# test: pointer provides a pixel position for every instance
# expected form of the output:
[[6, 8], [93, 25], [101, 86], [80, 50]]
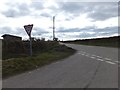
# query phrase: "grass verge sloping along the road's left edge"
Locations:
[[15, 66]]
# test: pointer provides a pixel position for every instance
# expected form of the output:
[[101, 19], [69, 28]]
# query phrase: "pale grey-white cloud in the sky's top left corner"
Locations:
[[19, 9]]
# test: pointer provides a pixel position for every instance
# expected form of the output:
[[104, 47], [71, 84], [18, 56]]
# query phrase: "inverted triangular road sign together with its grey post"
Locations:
[[28, 29]]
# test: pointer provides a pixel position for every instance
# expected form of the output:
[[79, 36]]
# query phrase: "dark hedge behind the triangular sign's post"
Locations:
[[14, 49]]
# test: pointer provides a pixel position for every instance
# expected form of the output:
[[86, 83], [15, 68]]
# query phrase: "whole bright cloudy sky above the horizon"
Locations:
[[74, 20]]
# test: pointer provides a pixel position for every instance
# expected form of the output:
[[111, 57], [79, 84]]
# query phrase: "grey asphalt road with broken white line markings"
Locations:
[[89, 67]]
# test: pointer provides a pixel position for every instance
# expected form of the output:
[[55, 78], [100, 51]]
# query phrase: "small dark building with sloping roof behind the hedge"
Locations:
[[11, 37]]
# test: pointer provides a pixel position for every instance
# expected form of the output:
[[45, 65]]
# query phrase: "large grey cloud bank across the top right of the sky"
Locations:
[[97, 11]]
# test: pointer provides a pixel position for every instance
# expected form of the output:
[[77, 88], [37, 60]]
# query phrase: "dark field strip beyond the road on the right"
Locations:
[[106, 42]]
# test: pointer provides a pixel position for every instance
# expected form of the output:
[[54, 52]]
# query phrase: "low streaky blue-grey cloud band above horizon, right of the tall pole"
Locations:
[[88, 32]]
